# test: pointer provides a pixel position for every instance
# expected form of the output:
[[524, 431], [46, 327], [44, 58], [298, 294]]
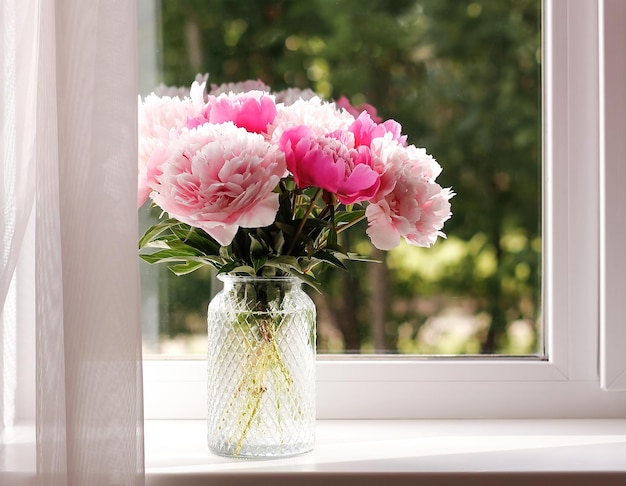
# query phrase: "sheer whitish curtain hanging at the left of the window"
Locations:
[[68, 164]]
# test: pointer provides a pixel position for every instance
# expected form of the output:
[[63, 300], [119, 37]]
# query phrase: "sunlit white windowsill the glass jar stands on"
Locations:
[[405, 452]]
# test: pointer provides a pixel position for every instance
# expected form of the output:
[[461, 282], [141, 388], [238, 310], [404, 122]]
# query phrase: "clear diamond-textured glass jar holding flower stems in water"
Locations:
[[261, 368]]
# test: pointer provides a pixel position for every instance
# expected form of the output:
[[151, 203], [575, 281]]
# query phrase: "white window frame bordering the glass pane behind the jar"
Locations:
[[566, 384]]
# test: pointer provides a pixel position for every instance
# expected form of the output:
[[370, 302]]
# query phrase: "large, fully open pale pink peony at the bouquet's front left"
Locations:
[[218, 178]]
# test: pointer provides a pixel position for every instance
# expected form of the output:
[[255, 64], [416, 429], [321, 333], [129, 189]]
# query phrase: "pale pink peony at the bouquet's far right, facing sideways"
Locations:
[[409, 204]]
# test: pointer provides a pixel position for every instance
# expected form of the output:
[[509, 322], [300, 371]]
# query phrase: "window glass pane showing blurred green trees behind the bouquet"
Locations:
[[464, 81]]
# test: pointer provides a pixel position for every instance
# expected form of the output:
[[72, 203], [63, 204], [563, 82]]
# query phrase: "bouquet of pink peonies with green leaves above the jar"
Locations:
[[260, 183]]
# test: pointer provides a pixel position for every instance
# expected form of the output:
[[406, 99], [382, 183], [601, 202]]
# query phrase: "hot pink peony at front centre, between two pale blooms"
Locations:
[[330, 162]]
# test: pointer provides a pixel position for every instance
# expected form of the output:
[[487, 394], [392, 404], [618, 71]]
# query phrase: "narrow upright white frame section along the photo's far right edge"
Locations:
[[613, 201]]
